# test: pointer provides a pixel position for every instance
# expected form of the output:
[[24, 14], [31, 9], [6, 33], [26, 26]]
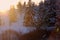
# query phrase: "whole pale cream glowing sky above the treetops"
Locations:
[[5, 4]]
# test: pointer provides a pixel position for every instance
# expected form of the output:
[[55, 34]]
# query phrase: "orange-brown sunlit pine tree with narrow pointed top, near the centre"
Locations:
[[29, 14]]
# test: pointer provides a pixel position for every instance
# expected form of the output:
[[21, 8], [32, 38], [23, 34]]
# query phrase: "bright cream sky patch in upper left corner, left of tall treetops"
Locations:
[[5, 4]]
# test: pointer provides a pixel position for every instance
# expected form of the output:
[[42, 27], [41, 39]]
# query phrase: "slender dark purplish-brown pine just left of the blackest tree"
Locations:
[[40, 15]]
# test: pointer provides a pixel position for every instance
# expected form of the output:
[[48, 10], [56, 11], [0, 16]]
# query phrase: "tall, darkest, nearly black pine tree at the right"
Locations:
[[50, 9]]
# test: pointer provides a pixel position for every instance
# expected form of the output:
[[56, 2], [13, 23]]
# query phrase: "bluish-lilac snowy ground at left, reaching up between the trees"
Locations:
[[17, 26]]
